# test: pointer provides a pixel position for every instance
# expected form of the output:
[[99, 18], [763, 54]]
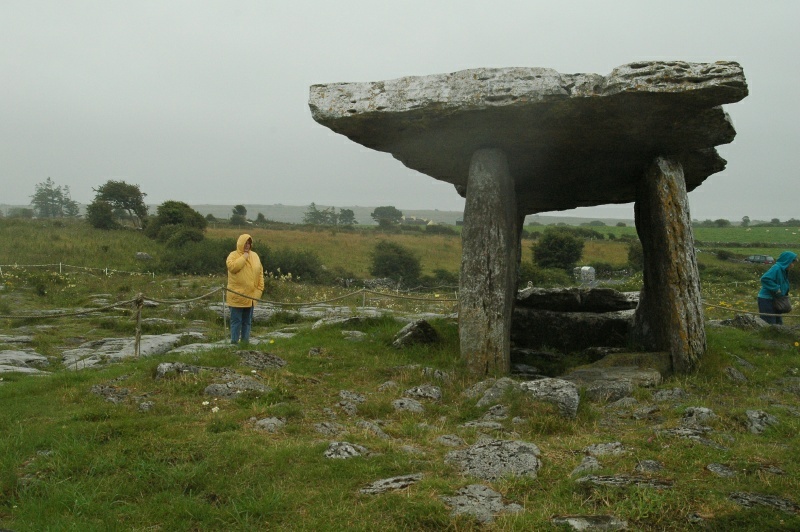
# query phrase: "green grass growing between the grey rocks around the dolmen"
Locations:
[[71, 461]]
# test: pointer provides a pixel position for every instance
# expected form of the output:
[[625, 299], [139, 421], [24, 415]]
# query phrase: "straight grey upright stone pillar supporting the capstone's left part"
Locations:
[[490, 240]]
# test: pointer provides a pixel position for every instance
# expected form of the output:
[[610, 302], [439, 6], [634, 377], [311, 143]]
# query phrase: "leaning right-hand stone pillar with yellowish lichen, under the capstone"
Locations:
[[670, 313]]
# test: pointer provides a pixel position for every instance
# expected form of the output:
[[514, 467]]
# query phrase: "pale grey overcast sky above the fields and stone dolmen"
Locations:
[[207, 101]]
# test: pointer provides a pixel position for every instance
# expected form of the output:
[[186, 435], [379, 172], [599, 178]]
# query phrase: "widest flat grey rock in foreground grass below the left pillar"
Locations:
[[494, 459]]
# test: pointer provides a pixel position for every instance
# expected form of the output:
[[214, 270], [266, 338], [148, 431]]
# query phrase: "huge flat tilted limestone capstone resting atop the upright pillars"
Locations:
[[571, 139]]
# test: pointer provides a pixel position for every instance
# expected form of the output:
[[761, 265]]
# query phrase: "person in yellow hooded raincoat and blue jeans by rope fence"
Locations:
[[245, 285]]
